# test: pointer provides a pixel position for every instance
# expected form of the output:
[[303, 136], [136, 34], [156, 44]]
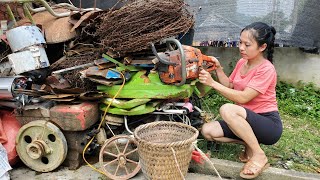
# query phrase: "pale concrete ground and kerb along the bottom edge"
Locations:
[[227, 169]]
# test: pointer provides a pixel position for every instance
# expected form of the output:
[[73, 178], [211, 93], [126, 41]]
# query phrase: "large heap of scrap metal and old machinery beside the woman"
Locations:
[[75, 75]]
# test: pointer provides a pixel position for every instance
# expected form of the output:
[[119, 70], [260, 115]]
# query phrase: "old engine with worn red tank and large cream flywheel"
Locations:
[[75, 121]]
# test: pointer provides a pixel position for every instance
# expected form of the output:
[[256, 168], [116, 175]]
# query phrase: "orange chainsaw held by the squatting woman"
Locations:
[[176, 66]]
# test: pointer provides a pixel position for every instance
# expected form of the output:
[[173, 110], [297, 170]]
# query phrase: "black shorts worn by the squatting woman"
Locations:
[[267, 127]]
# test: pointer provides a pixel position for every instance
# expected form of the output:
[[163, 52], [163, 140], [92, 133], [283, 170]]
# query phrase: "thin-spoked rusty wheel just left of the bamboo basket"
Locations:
[[119, 157]]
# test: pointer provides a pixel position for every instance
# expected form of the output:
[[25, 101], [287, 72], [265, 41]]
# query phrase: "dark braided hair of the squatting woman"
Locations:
[[263, 33]]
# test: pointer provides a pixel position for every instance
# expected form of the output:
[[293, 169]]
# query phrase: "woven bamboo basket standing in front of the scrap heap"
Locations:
[[165, 149]]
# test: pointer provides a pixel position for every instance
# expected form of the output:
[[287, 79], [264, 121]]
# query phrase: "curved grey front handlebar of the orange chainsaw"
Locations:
[[183, 59]]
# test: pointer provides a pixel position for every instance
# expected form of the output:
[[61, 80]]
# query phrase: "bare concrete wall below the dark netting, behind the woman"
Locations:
[[292, 64]]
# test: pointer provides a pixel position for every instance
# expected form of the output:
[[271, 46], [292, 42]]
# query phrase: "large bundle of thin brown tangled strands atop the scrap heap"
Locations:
[[135, 25]]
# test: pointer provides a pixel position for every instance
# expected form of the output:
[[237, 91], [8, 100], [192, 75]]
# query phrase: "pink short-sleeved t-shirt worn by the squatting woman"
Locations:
[[263, 79]]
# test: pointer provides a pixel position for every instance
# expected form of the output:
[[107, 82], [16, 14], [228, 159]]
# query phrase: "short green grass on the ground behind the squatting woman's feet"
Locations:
[[298, 146]]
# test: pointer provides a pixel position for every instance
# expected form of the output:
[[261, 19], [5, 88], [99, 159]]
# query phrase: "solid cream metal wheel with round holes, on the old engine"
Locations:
[[41, 145]]
